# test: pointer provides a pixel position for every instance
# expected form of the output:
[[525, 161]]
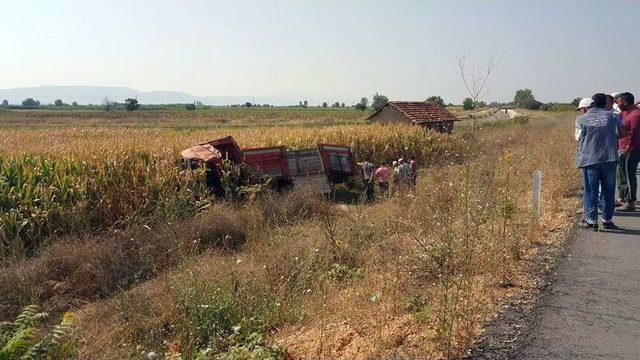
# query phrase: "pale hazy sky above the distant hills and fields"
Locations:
[[323, 50]]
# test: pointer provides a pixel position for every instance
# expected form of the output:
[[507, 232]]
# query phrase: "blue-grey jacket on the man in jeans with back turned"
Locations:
[[598, 140]]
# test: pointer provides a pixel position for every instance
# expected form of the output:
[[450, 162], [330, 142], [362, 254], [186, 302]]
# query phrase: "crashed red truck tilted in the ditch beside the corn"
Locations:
[[316, 167]]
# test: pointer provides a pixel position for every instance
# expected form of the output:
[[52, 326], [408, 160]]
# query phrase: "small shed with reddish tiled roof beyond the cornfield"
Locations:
[[427, 114]]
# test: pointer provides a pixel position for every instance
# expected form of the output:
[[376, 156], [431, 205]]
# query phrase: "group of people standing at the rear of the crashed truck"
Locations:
[[402, 174]]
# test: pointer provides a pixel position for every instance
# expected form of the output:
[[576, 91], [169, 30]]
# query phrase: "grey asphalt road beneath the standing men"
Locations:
[[593, 309]]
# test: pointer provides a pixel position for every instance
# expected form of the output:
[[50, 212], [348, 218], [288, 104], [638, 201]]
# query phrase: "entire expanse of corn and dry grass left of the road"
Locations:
[[97, 223]]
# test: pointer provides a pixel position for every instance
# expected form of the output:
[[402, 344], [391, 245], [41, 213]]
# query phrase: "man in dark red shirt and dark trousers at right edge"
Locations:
[[629, 145]]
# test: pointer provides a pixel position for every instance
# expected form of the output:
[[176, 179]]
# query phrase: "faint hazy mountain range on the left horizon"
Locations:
[[95, 95]]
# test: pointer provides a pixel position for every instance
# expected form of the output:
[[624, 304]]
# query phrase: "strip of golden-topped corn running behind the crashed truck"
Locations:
[[381, 143]]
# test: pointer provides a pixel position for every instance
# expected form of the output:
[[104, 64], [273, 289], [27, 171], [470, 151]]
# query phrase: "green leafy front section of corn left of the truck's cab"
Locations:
[[44, 195]]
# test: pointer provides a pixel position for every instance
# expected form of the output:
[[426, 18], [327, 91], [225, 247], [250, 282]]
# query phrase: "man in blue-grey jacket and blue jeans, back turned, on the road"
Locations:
[[597, 156]]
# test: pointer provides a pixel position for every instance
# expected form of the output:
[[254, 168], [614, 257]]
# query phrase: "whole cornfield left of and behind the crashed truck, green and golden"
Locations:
[[94, 178]]
